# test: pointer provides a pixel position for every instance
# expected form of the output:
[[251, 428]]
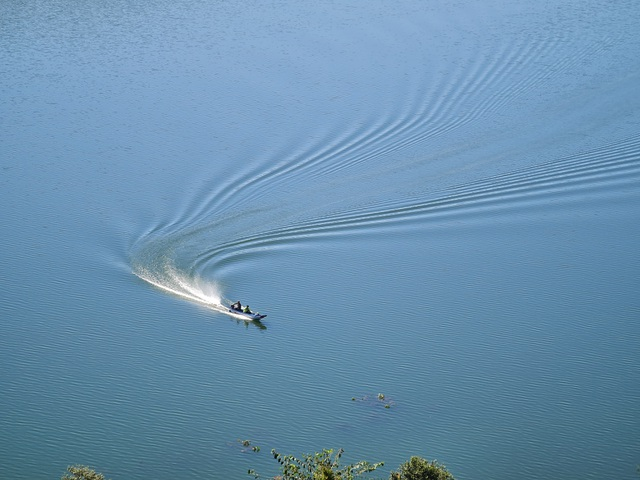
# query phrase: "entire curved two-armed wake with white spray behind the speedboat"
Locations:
[[453, 105]]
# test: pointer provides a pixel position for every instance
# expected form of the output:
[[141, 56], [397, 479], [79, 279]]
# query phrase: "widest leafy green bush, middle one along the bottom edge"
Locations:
[[319, 466]]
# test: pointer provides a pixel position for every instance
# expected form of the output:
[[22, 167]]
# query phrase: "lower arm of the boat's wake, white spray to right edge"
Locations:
[[178, 262]]
